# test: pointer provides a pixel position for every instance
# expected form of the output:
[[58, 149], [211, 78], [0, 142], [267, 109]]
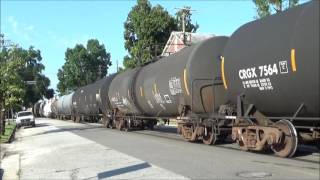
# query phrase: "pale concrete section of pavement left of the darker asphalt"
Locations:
[[47, 152]]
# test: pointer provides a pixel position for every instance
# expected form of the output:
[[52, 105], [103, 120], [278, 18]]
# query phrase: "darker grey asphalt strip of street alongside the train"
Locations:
[[167, 149]]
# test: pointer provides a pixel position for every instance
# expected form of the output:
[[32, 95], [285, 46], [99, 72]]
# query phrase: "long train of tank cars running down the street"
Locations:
[[261, 86]]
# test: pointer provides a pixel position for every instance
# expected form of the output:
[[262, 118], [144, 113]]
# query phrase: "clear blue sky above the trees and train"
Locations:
[[52, 26]]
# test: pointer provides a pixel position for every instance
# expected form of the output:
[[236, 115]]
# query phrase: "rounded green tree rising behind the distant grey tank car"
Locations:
[[83, 66]]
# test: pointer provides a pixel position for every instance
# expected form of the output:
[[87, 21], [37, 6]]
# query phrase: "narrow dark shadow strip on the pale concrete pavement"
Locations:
[[124, 170]]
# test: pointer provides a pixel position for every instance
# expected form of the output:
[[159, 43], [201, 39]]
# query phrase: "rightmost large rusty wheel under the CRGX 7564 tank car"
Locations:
[[289, 141]]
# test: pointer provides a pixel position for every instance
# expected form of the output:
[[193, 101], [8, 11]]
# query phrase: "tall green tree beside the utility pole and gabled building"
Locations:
[[147, 30]]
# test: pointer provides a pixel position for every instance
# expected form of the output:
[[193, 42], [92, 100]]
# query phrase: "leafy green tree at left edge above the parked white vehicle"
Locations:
[[19, 65]]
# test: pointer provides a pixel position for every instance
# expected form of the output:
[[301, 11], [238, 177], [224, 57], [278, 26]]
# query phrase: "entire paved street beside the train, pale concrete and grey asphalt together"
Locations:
[[65, 150]]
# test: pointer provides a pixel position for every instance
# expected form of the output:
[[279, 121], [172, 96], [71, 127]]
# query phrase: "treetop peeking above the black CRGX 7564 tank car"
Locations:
[[267, 7]]
